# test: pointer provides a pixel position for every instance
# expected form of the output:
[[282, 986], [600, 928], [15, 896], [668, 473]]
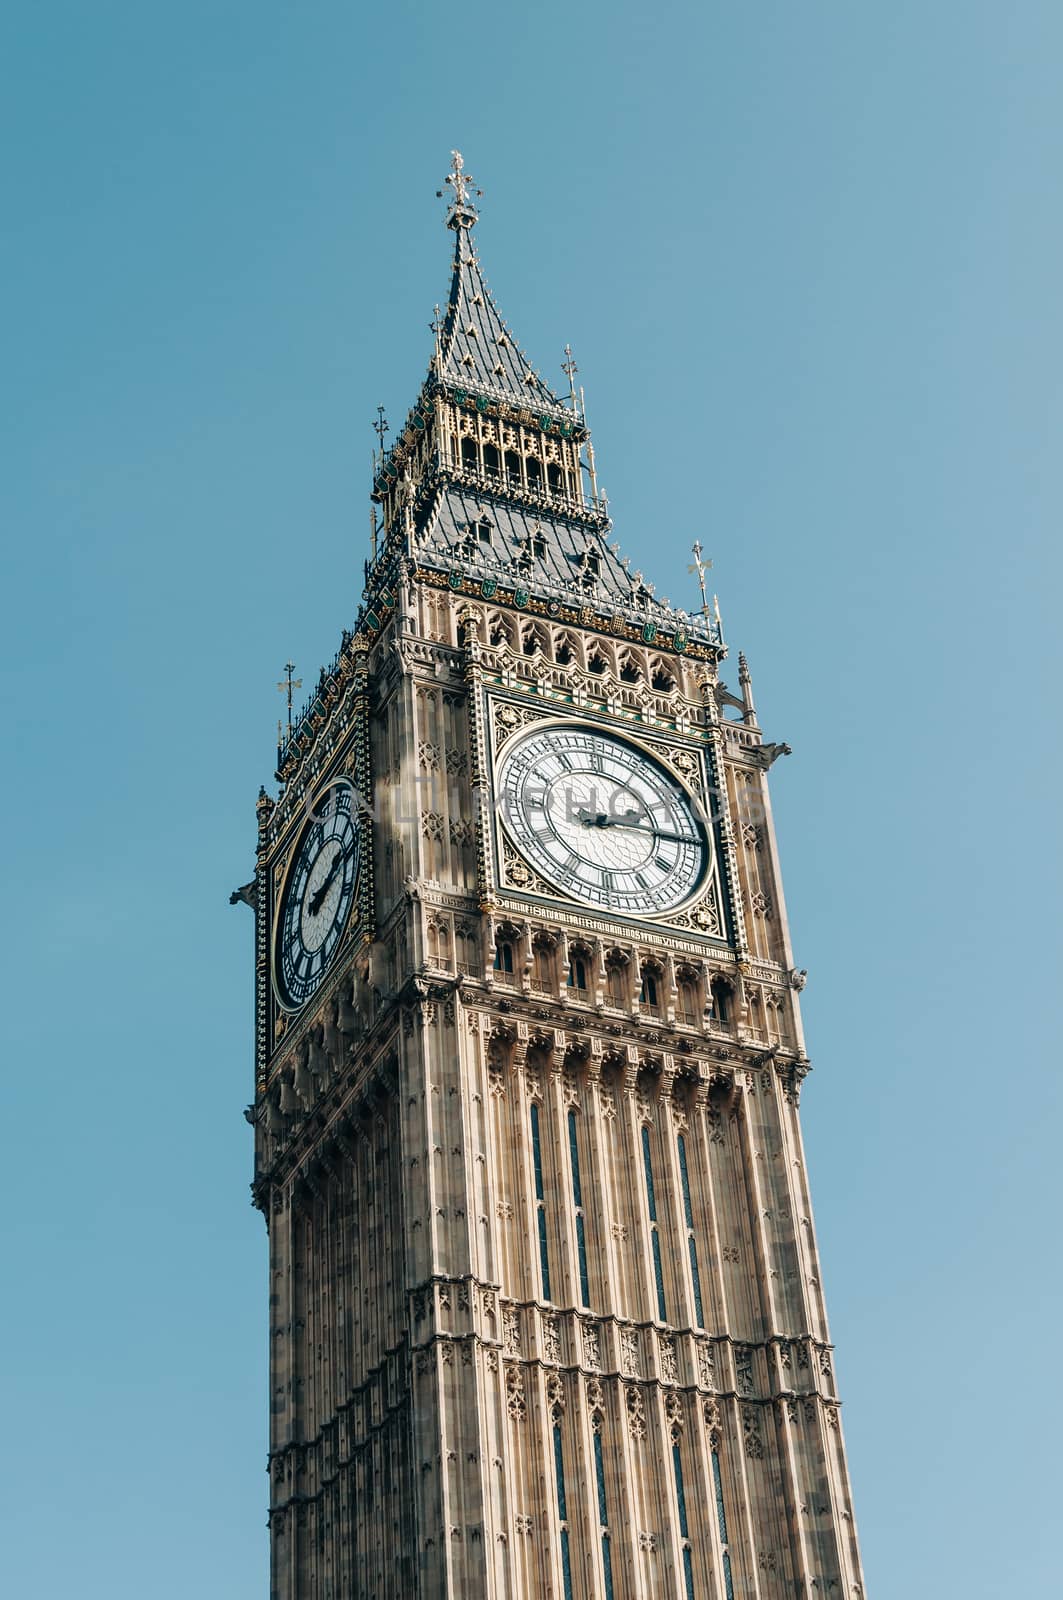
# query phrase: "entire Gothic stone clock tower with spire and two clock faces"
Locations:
[[545, 1308]]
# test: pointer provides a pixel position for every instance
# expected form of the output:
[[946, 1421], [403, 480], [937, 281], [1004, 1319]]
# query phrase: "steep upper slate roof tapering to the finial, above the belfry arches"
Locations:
[[478, 350]]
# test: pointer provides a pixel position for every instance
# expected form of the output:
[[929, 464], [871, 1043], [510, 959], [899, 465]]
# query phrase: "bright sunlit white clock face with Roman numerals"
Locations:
[[603, 820]]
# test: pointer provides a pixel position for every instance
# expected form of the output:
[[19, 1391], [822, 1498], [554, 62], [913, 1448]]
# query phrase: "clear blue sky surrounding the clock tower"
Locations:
[[809, 258]]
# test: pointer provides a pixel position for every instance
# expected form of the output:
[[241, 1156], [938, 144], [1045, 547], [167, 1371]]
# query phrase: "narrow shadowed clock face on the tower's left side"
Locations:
[[318, 897]]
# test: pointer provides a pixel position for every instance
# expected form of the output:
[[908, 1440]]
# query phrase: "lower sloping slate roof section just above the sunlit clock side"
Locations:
[[560, 569]]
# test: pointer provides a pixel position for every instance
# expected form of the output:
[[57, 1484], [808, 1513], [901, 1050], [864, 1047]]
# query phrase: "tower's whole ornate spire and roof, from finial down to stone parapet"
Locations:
[[486, 482]]
